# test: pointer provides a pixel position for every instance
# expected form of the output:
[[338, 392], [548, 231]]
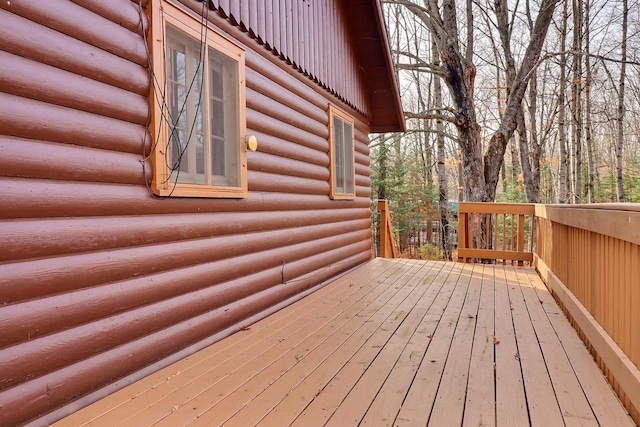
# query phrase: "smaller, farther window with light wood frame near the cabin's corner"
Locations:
[[342, 154]]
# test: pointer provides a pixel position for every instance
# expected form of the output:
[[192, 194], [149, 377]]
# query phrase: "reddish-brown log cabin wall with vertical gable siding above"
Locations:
[[100, 281]]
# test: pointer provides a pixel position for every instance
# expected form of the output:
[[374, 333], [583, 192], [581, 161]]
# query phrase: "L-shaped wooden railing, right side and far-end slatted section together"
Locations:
[[589, 257]]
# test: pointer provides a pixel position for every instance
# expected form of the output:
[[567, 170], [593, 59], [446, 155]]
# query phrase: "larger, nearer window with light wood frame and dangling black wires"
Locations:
[[200, 121]]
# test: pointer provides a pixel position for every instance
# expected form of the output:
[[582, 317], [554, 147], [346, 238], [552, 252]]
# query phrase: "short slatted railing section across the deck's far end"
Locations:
[[496, 231]]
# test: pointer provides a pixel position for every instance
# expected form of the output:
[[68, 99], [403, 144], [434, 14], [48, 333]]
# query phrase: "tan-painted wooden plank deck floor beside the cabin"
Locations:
[[395, 342]]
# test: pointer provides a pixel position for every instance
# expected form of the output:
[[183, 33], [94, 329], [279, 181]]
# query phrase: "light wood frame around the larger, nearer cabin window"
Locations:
[[189, 24]]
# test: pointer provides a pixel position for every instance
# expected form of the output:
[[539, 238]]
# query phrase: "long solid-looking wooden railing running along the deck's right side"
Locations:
[[589, 257]]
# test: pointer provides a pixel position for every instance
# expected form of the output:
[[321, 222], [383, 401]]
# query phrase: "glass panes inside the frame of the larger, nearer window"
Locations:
[[204, 137]]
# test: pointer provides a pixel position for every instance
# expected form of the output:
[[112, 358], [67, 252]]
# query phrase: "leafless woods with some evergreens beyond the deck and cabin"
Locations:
[[518, 101]]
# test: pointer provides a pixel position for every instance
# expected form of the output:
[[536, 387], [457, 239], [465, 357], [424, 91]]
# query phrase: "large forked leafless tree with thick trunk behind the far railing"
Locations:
[[458, 71]]
